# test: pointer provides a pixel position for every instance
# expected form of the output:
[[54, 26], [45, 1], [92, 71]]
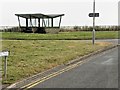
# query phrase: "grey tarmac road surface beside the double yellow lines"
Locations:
[[100, 71]]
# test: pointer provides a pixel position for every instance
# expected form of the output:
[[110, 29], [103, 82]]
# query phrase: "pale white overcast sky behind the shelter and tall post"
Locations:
[[76, 11]]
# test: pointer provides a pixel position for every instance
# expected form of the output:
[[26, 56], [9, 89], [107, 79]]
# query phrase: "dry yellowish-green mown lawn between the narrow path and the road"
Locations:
[[29, 57]]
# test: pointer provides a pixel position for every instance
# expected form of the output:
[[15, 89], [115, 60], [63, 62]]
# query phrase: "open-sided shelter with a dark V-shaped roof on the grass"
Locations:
[[43, 22]]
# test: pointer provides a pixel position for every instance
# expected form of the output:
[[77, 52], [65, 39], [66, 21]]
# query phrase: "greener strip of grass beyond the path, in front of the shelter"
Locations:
[[61, 35]]
